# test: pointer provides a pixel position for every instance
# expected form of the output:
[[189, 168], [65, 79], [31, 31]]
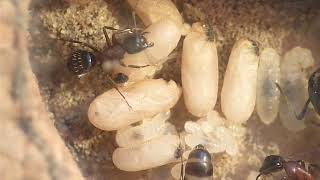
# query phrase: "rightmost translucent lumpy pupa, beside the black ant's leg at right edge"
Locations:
[[294, 83]]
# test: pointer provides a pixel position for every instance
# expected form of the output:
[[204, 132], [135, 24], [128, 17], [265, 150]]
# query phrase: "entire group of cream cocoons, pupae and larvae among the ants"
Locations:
[[146, 139]]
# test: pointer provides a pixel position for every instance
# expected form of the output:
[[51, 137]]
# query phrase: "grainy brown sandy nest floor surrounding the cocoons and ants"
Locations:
[[272, 23]]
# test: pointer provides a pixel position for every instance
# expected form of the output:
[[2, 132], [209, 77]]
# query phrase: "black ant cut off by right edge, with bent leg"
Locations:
[[314, 94]]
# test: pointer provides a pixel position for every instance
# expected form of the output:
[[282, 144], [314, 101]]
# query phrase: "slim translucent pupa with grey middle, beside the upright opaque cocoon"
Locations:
[[268, 95]]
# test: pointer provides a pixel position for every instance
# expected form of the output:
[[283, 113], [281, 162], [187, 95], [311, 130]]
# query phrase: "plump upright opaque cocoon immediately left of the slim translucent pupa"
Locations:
[[238, 95]]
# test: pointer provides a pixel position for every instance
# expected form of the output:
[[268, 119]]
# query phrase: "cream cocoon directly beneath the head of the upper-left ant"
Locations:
[[165, 35]]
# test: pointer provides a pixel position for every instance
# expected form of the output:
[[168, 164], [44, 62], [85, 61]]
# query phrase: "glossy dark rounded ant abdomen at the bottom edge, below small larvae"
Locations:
[[199, 165]]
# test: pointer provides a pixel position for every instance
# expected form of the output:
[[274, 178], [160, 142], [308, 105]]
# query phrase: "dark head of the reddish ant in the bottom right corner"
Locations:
[[271, 164]]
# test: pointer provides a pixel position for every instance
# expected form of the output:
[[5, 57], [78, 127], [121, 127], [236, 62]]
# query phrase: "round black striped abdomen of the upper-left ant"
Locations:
[[81, 62]]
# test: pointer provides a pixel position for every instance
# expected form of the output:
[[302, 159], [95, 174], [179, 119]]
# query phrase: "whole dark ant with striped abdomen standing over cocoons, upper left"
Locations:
[[81, 61]]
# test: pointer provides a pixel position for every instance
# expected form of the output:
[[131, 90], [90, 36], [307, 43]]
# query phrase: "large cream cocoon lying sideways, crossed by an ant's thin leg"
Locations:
[[147, 98]]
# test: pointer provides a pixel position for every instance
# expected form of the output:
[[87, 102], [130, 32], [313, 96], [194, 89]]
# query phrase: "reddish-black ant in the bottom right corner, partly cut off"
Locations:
[[295, 170]]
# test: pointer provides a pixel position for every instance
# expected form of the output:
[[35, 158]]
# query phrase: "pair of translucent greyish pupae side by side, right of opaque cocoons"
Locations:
[[290, 73]]
